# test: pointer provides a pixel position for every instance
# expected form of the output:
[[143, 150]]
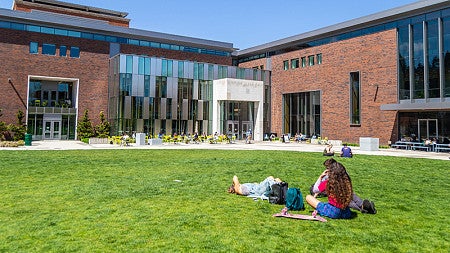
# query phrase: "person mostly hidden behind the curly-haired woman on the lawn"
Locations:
[[364, 206]]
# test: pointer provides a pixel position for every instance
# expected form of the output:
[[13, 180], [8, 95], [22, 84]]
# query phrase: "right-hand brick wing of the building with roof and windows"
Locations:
[[386, 76]]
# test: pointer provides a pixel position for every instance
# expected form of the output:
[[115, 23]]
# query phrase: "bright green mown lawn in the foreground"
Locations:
[[176, 201]]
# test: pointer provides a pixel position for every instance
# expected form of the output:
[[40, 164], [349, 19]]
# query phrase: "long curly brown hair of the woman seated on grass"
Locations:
[[339, 184]]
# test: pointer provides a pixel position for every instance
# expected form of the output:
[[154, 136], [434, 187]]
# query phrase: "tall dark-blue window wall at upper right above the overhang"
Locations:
[[424, 62]]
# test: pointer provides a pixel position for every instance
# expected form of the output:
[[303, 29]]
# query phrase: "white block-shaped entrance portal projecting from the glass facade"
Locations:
[[238, 90]]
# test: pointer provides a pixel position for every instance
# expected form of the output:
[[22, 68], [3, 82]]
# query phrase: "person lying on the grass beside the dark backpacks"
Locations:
[[253, 189]]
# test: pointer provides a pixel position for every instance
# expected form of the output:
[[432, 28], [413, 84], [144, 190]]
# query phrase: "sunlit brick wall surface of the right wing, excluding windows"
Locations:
[[374, 56]]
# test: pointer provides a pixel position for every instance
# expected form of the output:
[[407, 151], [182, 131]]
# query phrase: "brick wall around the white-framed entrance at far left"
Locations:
[[17, 63]]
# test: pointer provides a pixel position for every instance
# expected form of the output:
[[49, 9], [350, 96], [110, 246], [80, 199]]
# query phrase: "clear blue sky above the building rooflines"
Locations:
[[244, 23]]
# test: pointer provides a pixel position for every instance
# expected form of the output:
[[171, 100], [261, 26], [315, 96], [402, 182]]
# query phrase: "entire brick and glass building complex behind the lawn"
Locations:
[[386, 75]]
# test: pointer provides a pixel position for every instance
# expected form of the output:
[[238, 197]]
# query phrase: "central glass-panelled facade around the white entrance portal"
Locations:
[[155, 95]]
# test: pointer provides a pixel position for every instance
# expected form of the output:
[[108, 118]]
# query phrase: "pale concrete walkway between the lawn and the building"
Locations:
[[299, 147]]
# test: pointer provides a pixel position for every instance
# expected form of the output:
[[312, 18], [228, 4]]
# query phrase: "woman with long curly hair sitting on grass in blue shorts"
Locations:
[[340, 193]]
